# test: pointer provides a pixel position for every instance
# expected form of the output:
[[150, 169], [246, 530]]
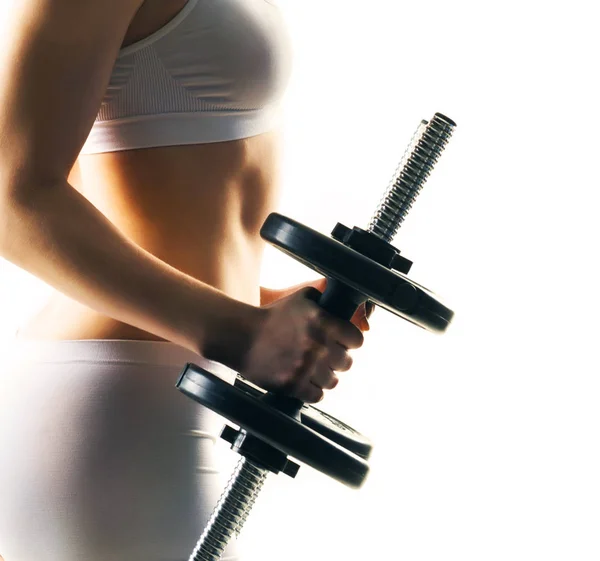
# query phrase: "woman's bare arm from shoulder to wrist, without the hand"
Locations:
[[54, 69]]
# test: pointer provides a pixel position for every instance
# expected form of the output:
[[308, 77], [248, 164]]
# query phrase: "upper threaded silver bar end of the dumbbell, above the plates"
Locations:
[[420, 157]]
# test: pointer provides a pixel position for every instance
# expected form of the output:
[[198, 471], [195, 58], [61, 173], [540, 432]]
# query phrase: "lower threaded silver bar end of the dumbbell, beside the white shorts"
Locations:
[[231, 511]]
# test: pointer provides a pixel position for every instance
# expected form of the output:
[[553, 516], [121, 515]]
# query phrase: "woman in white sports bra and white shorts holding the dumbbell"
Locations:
[[139, 157]]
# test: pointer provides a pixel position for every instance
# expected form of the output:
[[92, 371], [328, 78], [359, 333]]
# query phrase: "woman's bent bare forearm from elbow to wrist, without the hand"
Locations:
[[61, 238]]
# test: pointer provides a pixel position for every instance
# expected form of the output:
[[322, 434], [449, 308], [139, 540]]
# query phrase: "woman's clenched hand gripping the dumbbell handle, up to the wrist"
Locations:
[[297, 347]]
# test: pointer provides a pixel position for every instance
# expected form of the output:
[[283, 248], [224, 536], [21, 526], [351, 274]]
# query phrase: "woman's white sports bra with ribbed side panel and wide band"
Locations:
[[215, 72]]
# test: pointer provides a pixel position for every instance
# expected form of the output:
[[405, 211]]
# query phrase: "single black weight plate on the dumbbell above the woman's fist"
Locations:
[[386, 288]]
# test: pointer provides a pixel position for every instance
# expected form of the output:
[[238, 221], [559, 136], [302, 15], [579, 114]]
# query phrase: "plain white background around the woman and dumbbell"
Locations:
[[486, 438]]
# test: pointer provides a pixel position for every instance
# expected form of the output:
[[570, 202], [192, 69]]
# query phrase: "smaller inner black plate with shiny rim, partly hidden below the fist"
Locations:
[[323, 423]]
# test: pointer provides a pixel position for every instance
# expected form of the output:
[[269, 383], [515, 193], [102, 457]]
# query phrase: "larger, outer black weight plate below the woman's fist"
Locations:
[[274, 427]]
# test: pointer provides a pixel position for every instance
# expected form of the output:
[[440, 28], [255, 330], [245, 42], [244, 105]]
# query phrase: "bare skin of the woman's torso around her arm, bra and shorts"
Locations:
[[197, 207]]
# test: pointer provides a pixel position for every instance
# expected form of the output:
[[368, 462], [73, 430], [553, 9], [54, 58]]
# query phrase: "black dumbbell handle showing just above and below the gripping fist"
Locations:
[[340, 301]]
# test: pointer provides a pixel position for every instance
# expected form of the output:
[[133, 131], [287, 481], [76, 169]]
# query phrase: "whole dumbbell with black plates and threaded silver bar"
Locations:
[[360, 266]]
